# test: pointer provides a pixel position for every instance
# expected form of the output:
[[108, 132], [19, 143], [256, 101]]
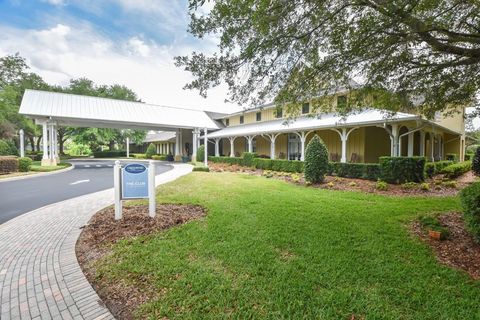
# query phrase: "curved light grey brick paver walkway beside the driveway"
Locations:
[[39, 274]]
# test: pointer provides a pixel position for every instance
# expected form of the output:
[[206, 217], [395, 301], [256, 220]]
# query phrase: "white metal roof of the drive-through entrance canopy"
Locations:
[[86, 111]]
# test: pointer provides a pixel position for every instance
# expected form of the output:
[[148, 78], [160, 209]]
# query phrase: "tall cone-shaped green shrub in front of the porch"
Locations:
[[316, 160]]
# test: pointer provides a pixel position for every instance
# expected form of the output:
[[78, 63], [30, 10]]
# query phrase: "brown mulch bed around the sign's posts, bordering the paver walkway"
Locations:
[[102, 231]]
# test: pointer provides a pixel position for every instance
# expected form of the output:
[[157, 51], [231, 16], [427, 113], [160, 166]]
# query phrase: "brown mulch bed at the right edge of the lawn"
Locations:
[[459, 250]]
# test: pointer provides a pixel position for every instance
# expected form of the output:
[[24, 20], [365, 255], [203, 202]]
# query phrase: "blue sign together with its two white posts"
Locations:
[[134, 181]]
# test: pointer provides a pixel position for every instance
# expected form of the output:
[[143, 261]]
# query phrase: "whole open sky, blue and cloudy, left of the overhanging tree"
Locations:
[[128, 42]]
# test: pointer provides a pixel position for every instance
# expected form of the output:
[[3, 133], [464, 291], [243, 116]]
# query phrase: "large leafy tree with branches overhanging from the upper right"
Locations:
[[422, 55]]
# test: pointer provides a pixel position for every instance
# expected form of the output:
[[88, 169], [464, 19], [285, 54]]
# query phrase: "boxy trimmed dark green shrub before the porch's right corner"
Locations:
[[402, 169]]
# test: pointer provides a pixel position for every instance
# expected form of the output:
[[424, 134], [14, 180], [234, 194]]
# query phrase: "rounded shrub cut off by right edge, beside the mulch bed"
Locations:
[[470, 201]]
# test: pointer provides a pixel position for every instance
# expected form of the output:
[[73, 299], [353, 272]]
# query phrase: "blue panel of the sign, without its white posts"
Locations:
[[134, 181]]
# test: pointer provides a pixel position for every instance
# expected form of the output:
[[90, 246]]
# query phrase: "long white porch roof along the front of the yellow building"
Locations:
[[329, 120]]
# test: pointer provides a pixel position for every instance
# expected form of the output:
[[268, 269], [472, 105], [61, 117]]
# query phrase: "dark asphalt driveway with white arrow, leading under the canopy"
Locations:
[[21, 196]]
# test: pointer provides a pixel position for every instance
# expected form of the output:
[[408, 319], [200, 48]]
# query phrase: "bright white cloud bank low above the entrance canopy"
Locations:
[[66, 51]]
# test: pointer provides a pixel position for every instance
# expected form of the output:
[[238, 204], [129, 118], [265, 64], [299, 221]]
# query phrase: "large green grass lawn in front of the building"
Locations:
[[272, 250]]
